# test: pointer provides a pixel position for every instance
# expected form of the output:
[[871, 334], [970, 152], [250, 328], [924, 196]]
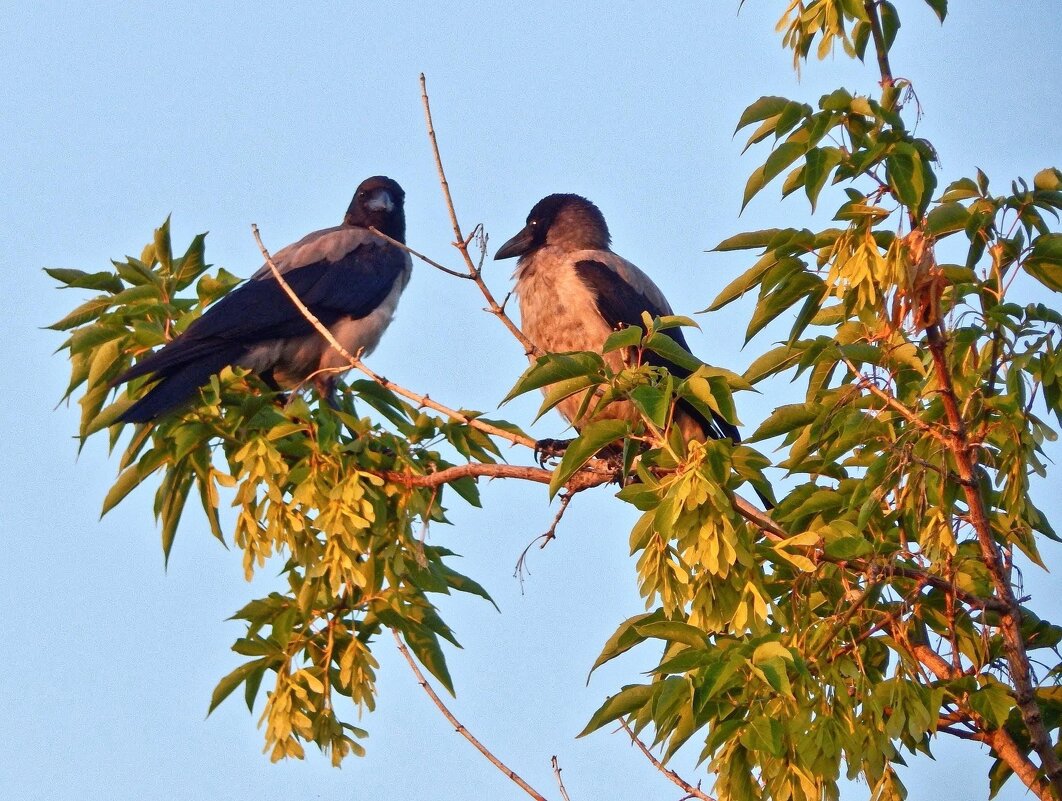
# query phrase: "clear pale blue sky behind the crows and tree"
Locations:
[[115, 115]]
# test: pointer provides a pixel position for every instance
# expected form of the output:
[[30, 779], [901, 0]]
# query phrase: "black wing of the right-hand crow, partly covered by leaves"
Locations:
[[622, 304]]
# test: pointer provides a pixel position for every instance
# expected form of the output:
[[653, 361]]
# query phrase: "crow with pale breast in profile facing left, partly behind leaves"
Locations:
[[574, 292]]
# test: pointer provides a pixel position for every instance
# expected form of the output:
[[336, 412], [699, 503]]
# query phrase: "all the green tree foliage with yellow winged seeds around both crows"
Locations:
[[871, 611]]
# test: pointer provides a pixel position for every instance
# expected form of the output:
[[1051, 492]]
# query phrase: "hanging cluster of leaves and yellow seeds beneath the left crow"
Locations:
[[321, 489]]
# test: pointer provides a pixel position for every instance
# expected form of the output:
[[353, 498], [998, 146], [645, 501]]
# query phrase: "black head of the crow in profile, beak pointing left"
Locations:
[[568, 221]]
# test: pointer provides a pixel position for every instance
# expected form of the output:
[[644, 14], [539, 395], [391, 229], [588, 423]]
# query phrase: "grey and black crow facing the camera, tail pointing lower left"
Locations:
[[348, 277]]
